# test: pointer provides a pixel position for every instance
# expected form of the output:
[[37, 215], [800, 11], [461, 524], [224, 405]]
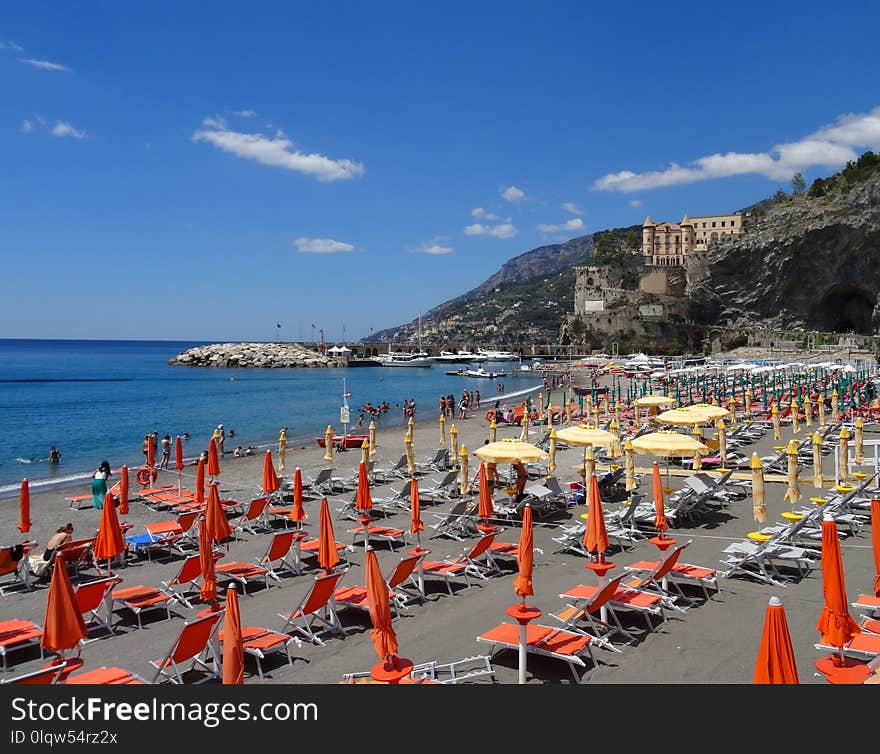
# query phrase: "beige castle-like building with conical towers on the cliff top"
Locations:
[[667, 244]]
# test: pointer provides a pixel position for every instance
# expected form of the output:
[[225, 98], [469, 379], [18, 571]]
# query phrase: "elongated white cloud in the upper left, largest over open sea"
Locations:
[[276, 151]]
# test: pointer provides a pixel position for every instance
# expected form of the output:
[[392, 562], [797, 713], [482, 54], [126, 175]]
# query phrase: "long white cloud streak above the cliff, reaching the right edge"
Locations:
[[829, 147]]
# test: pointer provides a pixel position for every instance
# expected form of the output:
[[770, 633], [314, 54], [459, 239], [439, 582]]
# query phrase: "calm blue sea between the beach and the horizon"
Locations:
[[95, 400]]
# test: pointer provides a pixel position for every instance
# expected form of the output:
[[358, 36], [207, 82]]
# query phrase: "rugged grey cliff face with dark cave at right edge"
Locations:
[[811, 262]]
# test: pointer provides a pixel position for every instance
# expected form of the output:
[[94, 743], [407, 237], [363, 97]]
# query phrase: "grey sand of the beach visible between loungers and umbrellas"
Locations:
[[713, 642]]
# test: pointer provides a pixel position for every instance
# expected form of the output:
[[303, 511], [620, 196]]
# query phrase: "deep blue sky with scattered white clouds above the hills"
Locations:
[[173, 171]]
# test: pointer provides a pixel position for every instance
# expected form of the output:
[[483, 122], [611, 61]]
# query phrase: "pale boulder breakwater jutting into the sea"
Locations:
[[253, 355]]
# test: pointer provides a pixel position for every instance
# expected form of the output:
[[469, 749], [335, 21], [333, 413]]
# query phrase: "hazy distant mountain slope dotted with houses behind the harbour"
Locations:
[[523, 302]]
